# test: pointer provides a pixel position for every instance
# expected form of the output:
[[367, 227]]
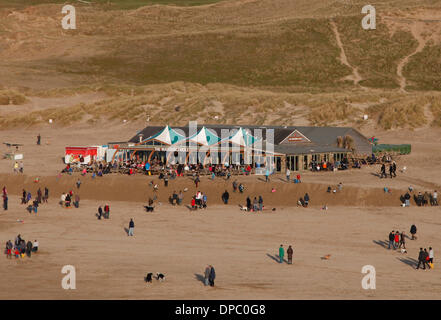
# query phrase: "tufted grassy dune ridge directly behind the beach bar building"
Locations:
[[180, 102]]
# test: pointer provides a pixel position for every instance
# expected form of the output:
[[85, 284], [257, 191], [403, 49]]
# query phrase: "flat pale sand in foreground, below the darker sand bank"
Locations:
[[241, 246]]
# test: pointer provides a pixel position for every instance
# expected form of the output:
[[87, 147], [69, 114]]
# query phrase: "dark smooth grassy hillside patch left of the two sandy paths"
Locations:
[[301, 52]]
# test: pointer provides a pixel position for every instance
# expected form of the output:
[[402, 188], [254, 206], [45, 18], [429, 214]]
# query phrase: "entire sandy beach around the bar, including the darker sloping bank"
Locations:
[[242, 246]]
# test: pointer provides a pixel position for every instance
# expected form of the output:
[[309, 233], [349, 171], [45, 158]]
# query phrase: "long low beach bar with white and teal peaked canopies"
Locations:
[[293, 147]]
